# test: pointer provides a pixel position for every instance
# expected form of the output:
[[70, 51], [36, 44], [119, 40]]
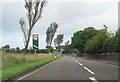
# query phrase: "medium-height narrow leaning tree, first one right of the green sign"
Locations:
[[50, 33]]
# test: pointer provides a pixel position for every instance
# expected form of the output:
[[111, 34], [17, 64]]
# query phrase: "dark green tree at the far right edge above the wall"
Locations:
[[112, 42]]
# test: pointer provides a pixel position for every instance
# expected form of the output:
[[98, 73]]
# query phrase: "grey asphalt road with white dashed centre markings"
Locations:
[[74, 68]]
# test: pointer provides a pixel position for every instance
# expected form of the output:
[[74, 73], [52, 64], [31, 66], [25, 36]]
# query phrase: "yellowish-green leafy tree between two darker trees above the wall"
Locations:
[[95, 44]]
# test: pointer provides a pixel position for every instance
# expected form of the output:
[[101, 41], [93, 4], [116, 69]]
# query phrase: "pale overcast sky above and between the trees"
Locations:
[[71, 15]]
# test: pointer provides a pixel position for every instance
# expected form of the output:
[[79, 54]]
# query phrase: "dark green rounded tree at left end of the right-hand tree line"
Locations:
[[80, 38]]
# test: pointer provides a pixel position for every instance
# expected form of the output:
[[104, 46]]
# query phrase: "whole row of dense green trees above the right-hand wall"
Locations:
[[91, 40]]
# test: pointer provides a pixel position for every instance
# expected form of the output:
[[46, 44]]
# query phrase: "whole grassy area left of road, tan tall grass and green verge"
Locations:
[[13, 64]]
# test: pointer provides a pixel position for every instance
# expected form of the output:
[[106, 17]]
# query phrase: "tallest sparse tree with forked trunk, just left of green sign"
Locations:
[[34, 9]]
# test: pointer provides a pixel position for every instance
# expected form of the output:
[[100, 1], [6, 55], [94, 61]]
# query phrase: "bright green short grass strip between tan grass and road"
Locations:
[[14, 69]]
